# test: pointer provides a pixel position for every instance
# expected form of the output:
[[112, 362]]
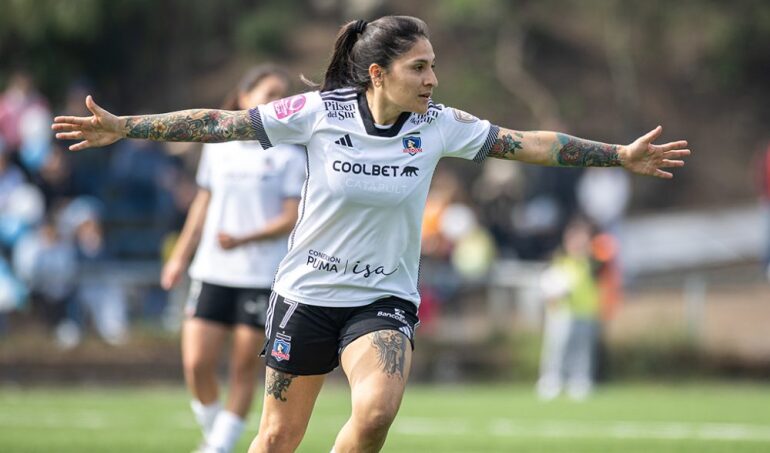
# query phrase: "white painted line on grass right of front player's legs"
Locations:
[[587, 429]]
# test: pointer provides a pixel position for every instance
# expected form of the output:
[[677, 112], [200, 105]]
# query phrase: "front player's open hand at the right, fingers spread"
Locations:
[[645, 158]]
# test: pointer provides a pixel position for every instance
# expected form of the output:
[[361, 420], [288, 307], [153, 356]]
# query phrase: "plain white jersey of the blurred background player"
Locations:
[[248, 186]]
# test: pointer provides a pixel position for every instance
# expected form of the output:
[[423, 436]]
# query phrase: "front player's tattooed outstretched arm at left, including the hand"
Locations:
[[200, 125]]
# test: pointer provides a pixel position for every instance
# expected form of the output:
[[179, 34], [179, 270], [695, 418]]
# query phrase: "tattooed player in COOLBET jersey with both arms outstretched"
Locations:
[[346, 292]]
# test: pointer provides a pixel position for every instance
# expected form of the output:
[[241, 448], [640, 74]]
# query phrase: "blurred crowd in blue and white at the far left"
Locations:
[[65, 215]]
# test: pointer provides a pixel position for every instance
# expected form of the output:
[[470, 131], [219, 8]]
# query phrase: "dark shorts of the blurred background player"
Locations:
[[228, 305]]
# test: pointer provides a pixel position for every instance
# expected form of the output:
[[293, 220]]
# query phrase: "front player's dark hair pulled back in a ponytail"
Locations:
[[360, 44]]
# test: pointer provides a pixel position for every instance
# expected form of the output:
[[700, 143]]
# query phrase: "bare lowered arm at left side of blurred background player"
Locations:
[[188, 241]]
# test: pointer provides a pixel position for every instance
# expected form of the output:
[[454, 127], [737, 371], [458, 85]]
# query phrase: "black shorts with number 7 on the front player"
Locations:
[[308, 339]]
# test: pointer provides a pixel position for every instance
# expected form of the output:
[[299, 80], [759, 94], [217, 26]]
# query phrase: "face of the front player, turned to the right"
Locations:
[[409, 82]]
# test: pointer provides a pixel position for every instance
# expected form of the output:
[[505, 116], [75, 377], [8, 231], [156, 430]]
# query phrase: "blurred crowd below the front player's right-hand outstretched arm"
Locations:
[[515, 212]]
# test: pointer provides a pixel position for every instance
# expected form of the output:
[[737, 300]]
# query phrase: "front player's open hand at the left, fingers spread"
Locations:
[[101, 129]]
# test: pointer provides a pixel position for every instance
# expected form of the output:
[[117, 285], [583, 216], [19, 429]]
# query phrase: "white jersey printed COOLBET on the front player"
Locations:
[[358, 235]]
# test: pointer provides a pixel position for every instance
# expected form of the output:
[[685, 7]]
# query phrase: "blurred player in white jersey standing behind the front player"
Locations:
[[240, 220]]
